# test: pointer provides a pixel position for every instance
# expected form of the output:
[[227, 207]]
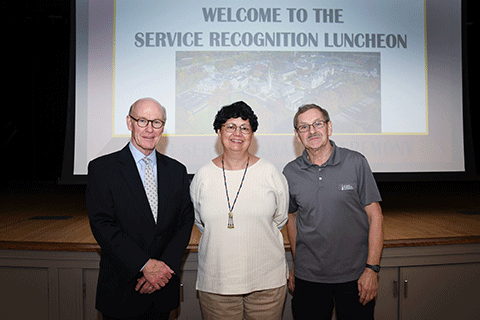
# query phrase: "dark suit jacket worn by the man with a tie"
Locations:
[[122, 223]]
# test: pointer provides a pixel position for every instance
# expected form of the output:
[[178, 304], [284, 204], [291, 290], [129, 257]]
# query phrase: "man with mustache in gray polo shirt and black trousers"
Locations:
[[335, 224]]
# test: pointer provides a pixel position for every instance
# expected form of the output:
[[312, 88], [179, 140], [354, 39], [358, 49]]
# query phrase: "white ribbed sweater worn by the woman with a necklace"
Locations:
[[251, 256]]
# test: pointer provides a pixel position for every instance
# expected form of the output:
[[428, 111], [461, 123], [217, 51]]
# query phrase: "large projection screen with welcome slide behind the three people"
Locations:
[[389, 73]]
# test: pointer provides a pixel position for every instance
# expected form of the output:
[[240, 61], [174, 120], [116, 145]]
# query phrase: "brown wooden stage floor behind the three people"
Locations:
[[53, 220]]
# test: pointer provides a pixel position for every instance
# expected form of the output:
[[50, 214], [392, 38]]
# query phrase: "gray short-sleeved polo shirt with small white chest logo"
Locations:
[[332, 224]]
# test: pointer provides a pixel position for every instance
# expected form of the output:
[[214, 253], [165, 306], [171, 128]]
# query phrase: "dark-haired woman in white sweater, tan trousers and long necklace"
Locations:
[[241, 204]]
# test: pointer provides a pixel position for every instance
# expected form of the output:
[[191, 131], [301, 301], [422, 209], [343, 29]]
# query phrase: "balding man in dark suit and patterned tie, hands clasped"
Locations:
[[141, 215]]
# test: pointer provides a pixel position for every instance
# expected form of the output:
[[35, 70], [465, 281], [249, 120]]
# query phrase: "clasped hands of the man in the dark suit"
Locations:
[[156, 273]]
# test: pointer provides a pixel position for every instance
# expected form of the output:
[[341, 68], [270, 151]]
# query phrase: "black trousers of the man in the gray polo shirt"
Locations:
[[317, 300]]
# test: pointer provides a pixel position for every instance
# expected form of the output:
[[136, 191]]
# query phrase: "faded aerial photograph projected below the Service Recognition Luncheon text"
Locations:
[[275, 84]]
